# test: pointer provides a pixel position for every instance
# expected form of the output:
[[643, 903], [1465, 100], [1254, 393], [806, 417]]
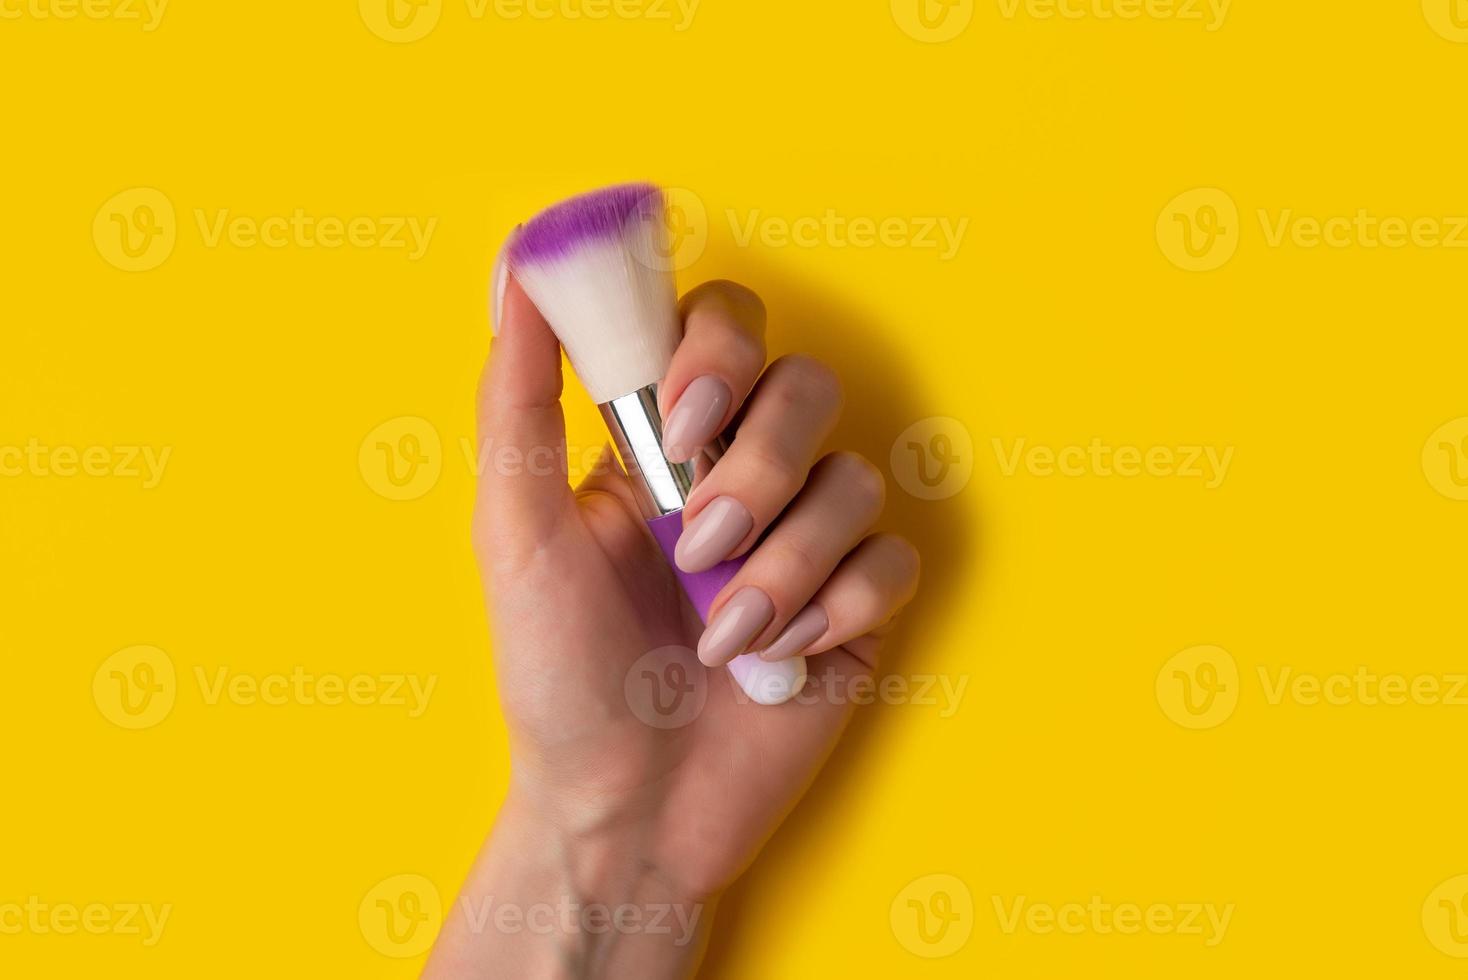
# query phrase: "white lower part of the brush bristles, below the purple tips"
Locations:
[[613, 307]]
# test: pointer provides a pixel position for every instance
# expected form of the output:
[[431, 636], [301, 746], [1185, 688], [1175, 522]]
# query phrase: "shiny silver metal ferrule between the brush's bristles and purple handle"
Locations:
[[636, 425]]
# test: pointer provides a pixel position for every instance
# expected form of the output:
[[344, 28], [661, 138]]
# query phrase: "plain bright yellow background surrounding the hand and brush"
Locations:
[[1062, 319]]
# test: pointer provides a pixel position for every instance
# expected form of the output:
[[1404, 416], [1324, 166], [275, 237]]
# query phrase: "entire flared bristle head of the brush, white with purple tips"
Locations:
[[597, 269]]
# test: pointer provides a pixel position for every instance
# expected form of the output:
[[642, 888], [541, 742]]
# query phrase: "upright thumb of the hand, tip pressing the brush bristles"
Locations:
[[523, 489]]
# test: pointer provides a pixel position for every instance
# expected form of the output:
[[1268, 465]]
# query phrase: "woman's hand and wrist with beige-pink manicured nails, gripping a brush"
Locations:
[[645, 783]]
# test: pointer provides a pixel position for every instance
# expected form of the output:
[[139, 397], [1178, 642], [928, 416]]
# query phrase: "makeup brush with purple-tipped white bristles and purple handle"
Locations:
[[598, 269]]
